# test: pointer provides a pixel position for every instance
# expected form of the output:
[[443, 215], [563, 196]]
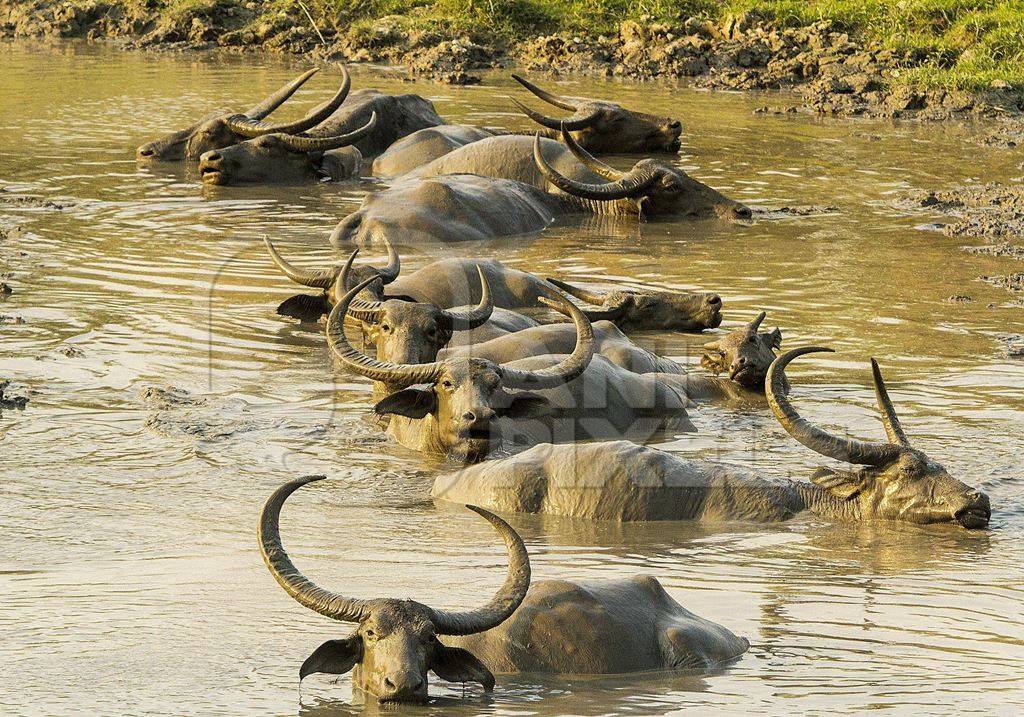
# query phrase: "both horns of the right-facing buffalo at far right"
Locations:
[[841, 449]]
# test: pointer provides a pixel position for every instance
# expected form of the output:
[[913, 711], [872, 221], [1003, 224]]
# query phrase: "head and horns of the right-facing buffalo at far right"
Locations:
[[897, 483]]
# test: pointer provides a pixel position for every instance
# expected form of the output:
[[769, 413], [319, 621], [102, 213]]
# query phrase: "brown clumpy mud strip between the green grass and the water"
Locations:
[[834, 73]]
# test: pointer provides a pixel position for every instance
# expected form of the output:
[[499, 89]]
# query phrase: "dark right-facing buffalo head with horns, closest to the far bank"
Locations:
[[606, 128]]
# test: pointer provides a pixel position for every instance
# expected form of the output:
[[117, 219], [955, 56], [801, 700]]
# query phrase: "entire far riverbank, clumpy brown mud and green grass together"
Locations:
[[933, 60]]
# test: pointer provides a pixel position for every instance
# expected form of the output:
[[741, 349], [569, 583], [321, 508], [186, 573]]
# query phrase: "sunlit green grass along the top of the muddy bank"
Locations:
[[958, 45]]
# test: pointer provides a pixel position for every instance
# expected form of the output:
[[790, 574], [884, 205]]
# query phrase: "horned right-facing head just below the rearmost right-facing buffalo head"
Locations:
[[653, 188]]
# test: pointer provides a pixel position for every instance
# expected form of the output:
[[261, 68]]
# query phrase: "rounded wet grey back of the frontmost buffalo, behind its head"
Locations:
[[603, 627]]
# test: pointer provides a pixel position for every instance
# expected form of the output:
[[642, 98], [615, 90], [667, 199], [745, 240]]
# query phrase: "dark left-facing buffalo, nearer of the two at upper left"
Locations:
[[286, 158]]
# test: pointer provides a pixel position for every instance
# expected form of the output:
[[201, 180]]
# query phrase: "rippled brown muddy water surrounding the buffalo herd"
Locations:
[[132, 484]]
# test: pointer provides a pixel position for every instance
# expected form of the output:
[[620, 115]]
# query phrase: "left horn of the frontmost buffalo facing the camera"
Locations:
[[284, 571]]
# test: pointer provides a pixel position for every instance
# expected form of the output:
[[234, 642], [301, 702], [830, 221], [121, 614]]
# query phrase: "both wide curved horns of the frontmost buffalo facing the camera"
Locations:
[[350, 610]]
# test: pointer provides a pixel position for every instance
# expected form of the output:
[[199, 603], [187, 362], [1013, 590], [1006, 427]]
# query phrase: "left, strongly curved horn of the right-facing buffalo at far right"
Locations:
[[848, 450]]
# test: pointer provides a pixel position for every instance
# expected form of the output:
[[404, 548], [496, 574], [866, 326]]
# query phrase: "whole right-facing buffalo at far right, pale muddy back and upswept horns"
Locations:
[[625, 482]]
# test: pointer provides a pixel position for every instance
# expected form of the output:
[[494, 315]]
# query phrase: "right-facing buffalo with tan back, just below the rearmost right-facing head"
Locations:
[[652, 188]]
